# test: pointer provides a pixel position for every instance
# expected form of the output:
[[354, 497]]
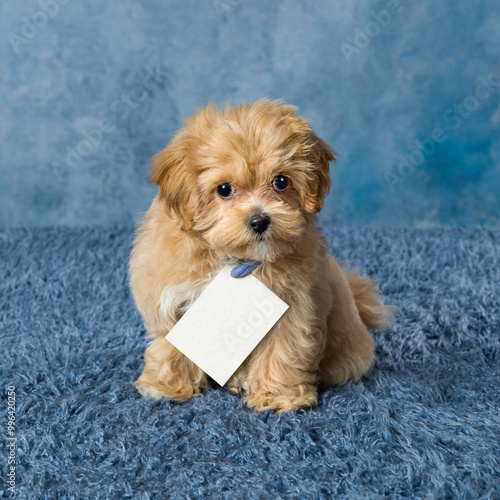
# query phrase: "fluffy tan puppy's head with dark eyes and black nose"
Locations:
[[245, 179]]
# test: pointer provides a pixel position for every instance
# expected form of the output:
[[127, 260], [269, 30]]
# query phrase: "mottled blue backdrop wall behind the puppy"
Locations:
[[407, 92]]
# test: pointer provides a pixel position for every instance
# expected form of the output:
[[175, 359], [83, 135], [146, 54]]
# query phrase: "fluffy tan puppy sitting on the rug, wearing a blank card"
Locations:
[[247, 183]]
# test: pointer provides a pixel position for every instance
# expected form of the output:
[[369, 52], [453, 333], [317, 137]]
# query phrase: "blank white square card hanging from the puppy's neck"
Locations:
[[226, 323]]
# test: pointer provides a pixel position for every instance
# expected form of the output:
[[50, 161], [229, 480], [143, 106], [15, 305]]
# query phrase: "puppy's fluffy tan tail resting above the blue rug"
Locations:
[[373, 312]]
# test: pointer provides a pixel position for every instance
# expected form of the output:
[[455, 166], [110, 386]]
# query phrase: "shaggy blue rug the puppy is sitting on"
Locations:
[[424, 423]]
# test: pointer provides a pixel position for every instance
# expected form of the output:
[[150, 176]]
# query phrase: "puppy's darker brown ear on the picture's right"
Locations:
[[320, 156]]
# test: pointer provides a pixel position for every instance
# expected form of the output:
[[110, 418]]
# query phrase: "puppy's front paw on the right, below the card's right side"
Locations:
[[288, 399]]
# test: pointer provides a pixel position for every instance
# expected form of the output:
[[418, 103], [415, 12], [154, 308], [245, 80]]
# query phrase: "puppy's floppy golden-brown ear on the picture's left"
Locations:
[[178, 189]]
